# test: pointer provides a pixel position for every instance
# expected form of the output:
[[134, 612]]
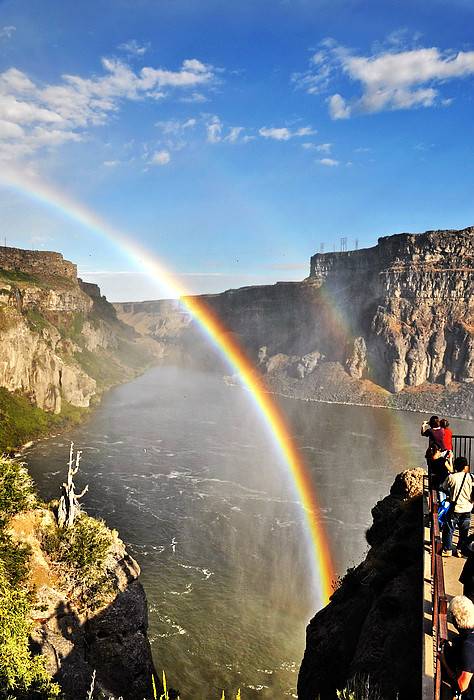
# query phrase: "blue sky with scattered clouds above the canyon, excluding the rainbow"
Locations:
[[235, 139]]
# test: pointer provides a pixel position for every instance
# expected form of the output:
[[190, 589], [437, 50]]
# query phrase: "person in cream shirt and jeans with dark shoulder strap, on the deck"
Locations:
[[458, 486]]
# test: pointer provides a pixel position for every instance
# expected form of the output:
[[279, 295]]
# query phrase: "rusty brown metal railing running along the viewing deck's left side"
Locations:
[[440, 601]]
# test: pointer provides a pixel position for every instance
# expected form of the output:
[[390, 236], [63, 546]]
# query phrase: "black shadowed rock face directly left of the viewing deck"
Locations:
[[371, 629]]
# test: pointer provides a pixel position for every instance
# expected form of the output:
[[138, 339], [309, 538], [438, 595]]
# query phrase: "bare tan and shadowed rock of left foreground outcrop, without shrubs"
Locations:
[[77, 638]]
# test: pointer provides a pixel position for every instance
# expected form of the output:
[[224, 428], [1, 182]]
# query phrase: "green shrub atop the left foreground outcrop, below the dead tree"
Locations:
[[81, 553]]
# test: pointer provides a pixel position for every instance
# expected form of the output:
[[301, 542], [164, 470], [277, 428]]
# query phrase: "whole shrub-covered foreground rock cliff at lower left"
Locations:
[[84, 611]]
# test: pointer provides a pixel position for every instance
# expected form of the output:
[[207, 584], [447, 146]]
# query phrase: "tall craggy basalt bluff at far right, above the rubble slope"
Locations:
[[412, 302]]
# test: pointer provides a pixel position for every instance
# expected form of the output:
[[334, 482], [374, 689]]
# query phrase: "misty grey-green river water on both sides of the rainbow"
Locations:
[[181, 464]]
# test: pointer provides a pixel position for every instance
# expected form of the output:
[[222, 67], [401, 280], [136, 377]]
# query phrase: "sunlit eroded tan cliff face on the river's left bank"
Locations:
[[60, 340]]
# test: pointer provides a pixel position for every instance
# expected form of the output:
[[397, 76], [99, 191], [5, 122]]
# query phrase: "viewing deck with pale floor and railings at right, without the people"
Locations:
[[440, 585]]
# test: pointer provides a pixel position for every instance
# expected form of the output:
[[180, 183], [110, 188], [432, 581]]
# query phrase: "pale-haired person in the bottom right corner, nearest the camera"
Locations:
[[458, 658]]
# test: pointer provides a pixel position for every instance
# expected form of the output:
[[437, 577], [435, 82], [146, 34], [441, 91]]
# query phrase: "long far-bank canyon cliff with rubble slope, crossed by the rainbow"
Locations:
[[392, 324]]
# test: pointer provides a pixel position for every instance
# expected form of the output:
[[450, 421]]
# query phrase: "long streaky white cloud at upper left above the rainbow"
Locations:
[[34, 116]]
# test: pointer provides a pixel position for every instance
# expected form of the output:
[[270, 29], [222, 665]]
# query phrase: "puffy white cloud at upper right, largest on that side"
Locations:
[[393, 78]]
